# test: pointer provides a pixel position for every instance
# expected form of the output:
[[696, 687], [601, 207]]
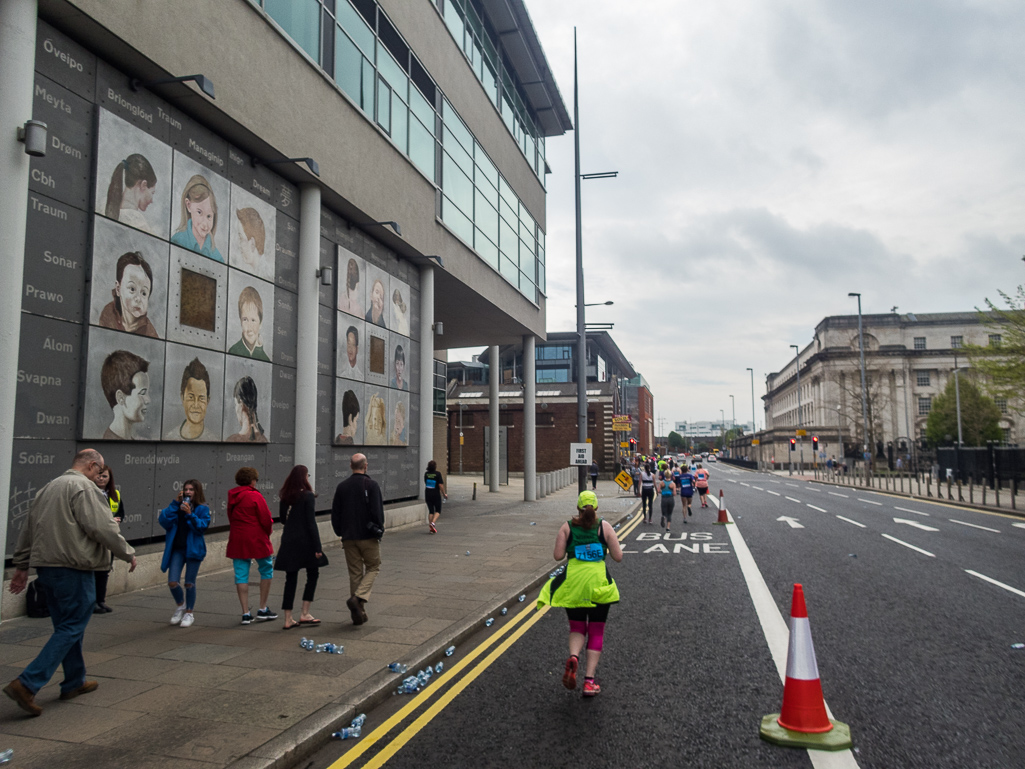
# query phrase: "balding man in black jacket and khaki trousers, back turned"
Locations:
[[358, 517]]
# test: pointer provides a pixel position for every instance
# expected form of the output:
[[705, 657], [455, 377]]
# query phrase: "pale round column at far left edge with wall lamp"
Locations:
[[18, 59]]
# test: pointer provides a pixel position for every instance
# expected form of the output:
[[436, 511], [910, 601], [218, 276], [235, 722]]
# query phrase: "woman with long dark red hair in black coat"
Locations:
[[301, 546]]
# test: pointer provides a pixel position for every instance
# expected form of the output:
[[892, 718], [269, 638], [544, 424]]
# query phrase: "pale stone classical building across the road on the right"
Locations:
[[910, 359]]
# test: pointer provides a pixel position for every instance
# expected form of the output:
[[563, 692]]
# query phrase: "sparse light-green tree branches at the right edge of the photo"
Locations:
[[1004, 363]]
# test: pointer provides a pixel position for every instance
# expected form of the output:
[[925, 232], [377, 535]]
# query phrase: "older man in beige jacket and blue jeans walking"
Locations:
[[68, 536]]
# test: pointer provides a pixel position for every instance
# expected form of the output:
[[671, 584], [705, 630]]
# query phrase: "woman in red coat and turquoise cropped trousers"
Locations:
[[250, 539]]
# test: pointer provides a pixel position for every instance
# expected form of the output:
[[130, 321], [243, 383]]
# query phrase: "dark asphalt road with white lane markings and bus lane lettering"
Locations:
[[914, 610]]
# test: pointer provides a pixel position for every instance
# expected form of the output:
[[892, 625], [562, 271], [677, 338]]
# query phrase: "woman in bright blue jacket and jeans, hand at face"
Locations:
[[186, 520]]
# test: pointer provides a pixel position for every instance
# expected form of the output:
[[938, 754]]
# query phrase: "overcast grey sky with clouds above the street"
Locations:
[[773, 157]]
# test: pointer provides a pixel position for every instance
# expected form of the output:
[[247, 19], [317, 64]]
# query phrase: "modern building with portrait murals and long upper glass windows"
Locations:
[[244, 232]]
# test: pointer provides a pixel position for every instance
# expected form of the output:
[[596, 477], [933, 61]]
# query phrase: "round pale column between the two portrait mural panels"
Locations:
[[306, 349]]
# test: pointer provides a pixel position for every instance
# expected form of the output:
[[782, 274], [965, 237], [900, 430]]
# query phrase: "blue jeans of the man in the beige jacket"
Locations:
[[70, 595]]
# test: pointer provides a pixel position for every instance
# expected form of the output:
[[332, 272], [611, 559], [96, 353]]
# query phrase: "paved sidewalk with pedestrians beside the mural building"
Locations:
[[221, 695]]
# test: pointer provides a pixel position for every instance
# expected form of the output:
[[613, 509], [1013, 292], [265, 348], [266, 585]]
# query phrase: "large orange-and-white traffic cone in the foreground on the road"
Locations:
[[804, 721]]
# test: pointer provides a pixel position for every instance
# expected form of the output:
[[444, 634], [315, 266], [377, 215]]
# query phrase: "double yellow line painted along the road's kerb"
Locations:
[[444, 701]]
